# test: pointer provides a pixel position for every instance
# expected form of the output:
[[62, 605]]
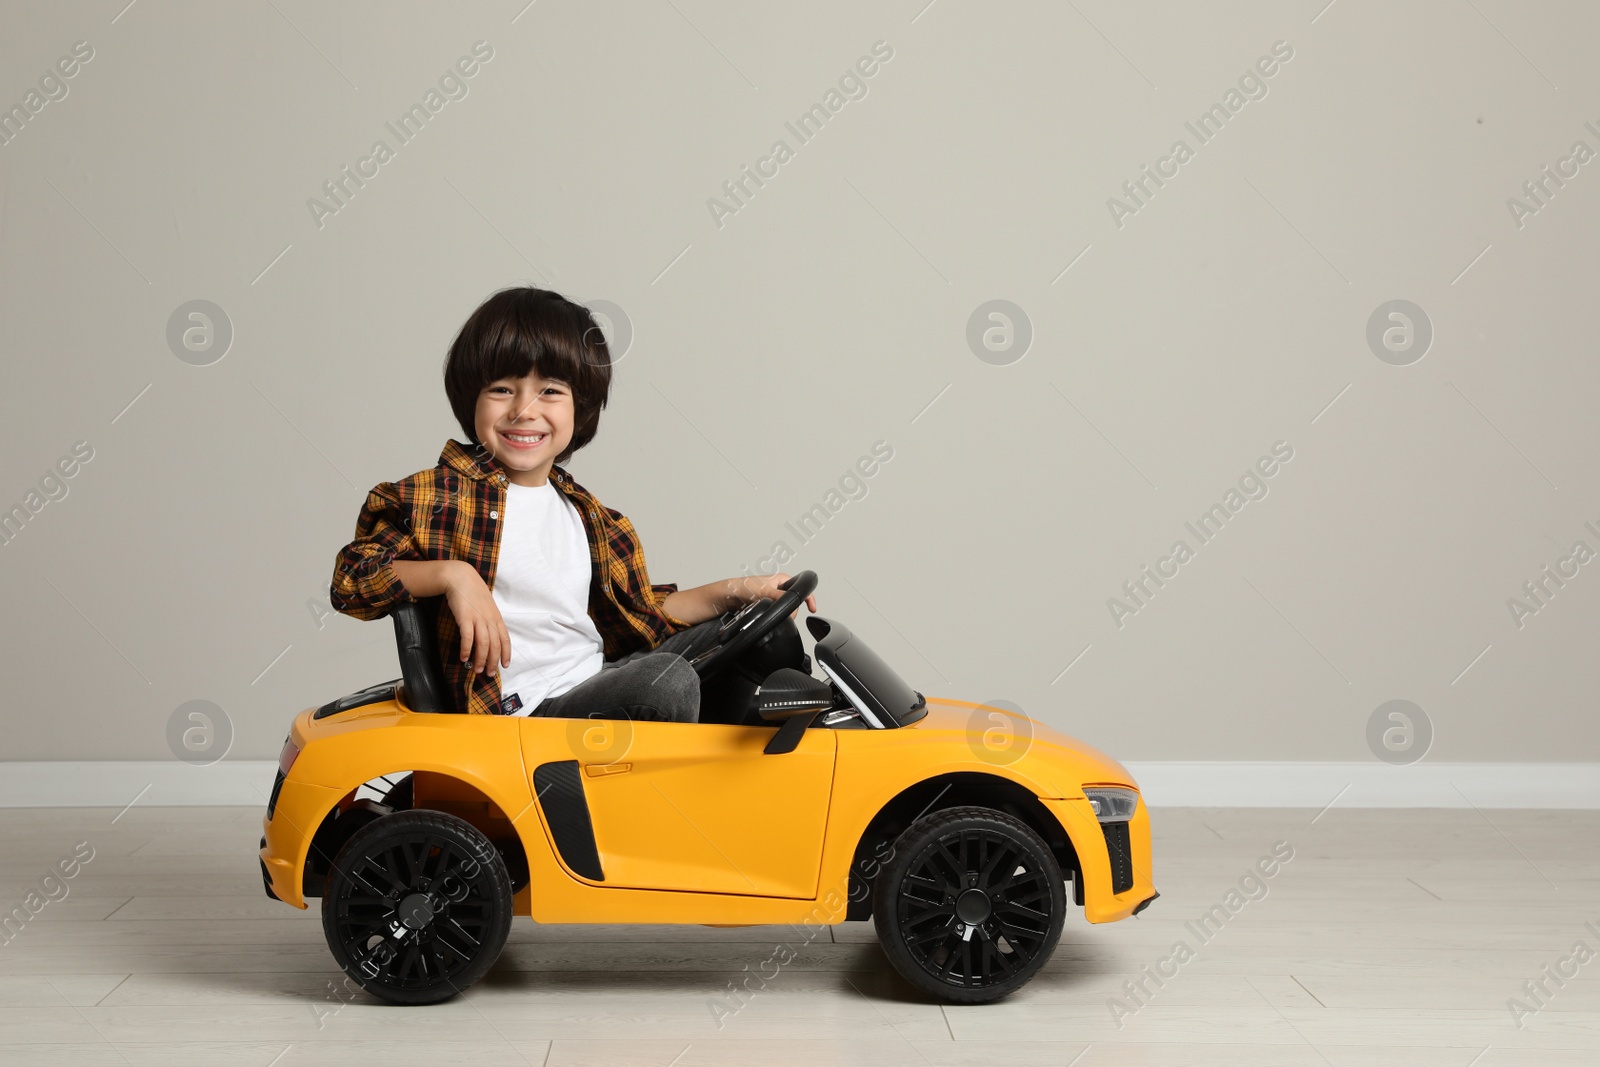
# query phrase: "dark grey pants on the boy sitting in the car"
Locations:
[[649, 685]]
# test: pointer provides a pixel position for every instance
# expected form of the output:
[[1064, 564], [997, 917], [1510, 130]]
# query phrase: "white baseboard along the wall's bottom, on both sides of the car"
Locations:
[[1166, 785]]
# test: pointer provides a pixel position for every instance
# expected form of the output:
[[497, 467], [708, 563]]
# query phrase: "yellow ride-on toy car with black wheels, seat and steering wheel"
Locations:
[[953, 826]]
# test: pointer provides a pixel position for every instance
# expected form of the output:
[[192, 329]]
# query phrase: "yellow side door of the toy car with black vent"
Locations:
[[689, 807]]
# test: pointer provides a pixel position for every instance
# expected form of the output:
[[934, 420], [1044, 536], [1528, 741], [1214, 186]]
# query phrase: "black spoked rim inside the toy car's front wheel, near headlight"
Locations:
[[975, 909]]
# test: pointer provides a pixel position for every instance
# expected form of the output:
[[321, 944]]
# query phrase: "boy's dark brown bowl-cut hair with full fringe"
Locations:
[[518, 332]]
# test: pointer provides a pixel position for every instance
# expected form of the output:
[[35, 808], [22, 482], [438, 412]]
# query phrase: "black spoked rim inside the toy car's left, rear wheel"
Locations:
[[414, 913]]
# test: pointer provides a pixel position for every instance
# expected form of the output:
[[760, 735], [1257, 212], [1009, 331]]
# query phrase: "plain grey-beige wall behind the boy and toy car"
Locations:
[[828, 314]]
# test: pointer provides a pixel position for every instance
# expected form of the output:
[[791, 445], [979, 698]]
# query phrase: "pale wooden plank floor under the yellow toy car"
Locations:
[[1391, 938]]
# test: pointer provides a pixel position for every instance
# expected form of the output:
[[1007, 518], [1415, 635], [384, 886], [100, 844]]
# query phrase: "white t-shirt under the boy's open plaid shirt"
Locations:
[[542, 589]]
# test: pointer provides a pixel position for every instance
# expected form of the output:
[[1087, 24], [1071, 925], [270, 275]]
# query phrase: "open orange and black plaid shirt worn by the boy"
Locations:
[[452, 513]]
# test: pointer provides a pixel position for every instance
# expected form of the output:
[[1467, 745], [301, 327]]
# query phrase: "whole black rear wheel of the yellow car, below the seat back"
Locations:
[[417, 906]]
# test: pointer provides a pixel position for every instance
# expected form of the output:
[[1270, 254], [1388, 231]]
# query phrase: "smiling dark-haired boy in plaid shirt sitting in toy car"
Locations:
[[548, 604]]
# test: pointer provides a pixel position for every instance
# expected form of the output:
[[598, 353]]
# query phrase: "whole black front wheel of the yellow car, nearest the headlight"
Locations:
[[970, 905]]
